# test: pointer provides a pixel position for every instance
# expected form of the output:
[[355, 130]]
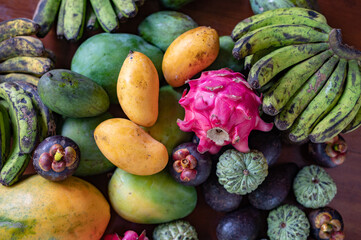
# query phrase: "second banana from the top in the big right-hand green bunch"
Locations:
[[276, 36]]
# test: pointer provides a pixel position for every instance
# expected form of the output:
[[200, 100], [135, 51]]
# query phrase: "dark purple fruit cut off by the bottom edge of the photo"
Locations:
[[243, 224]]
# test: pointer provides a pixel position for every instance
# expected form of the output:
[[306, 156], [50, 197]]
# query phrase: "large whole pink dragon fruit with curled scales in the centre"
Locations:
[[221, 108]]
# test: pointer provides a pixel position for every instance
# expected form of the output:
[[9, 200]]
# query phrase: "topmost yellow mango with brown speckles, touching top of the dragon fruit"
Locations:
[[190, 53]]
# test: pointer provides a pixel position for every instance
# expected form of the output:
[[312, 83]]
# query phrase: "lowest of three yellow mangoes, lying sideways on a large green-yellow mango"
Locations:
[[129, 147]]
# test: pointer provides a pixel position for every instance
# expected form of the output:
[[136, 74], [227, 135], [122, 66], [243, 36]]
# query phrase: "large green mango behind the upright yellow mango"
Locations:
[[101, 58]]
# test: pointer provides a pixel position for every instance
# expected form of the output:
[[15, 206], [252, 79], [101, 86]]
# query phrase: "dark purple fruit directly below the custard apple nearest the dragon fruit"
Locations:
[[218, 198]]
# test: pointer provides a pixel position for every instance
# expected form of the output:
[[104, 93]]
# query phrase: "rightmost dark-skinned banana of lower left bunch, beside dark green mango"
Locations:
[[46, 121]]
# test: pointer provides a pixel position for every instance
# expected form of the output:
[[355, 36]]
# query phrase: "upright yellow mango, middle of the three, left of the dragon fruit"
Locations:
[[138, 89]]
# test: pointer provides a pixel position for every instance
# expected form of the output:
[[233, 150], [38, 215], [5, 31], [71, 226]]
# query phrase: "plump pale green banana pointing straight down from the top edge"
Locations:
[[74, 19]]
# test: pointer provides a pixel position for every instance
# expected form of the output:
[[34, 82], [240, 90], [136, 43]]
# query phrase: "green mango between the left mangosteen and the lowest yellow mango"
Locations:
[[81, 130]]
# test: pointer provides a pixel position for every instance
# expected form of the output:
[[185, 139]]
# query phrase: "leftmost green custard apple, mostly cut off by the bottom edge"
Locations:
[[180, 230]]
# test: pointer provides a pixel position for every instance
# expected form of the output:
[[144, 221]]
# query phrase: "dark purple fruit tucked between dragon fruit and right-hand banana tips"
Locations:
[[269, 143]]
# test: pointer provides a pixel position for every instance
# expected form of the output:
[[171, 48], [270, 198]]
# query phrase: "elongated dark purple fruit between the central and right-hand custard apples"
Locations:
[[275, 188]]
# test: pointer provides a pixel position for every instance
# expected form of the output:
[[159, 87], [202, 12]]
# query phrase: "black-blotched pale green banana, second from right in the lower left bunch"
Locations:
[[22, 115]]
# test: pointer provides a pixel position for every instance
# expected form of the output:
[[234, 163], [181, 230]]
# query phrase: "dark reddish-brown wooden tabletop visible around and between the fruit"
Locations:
[[223, 16]]
